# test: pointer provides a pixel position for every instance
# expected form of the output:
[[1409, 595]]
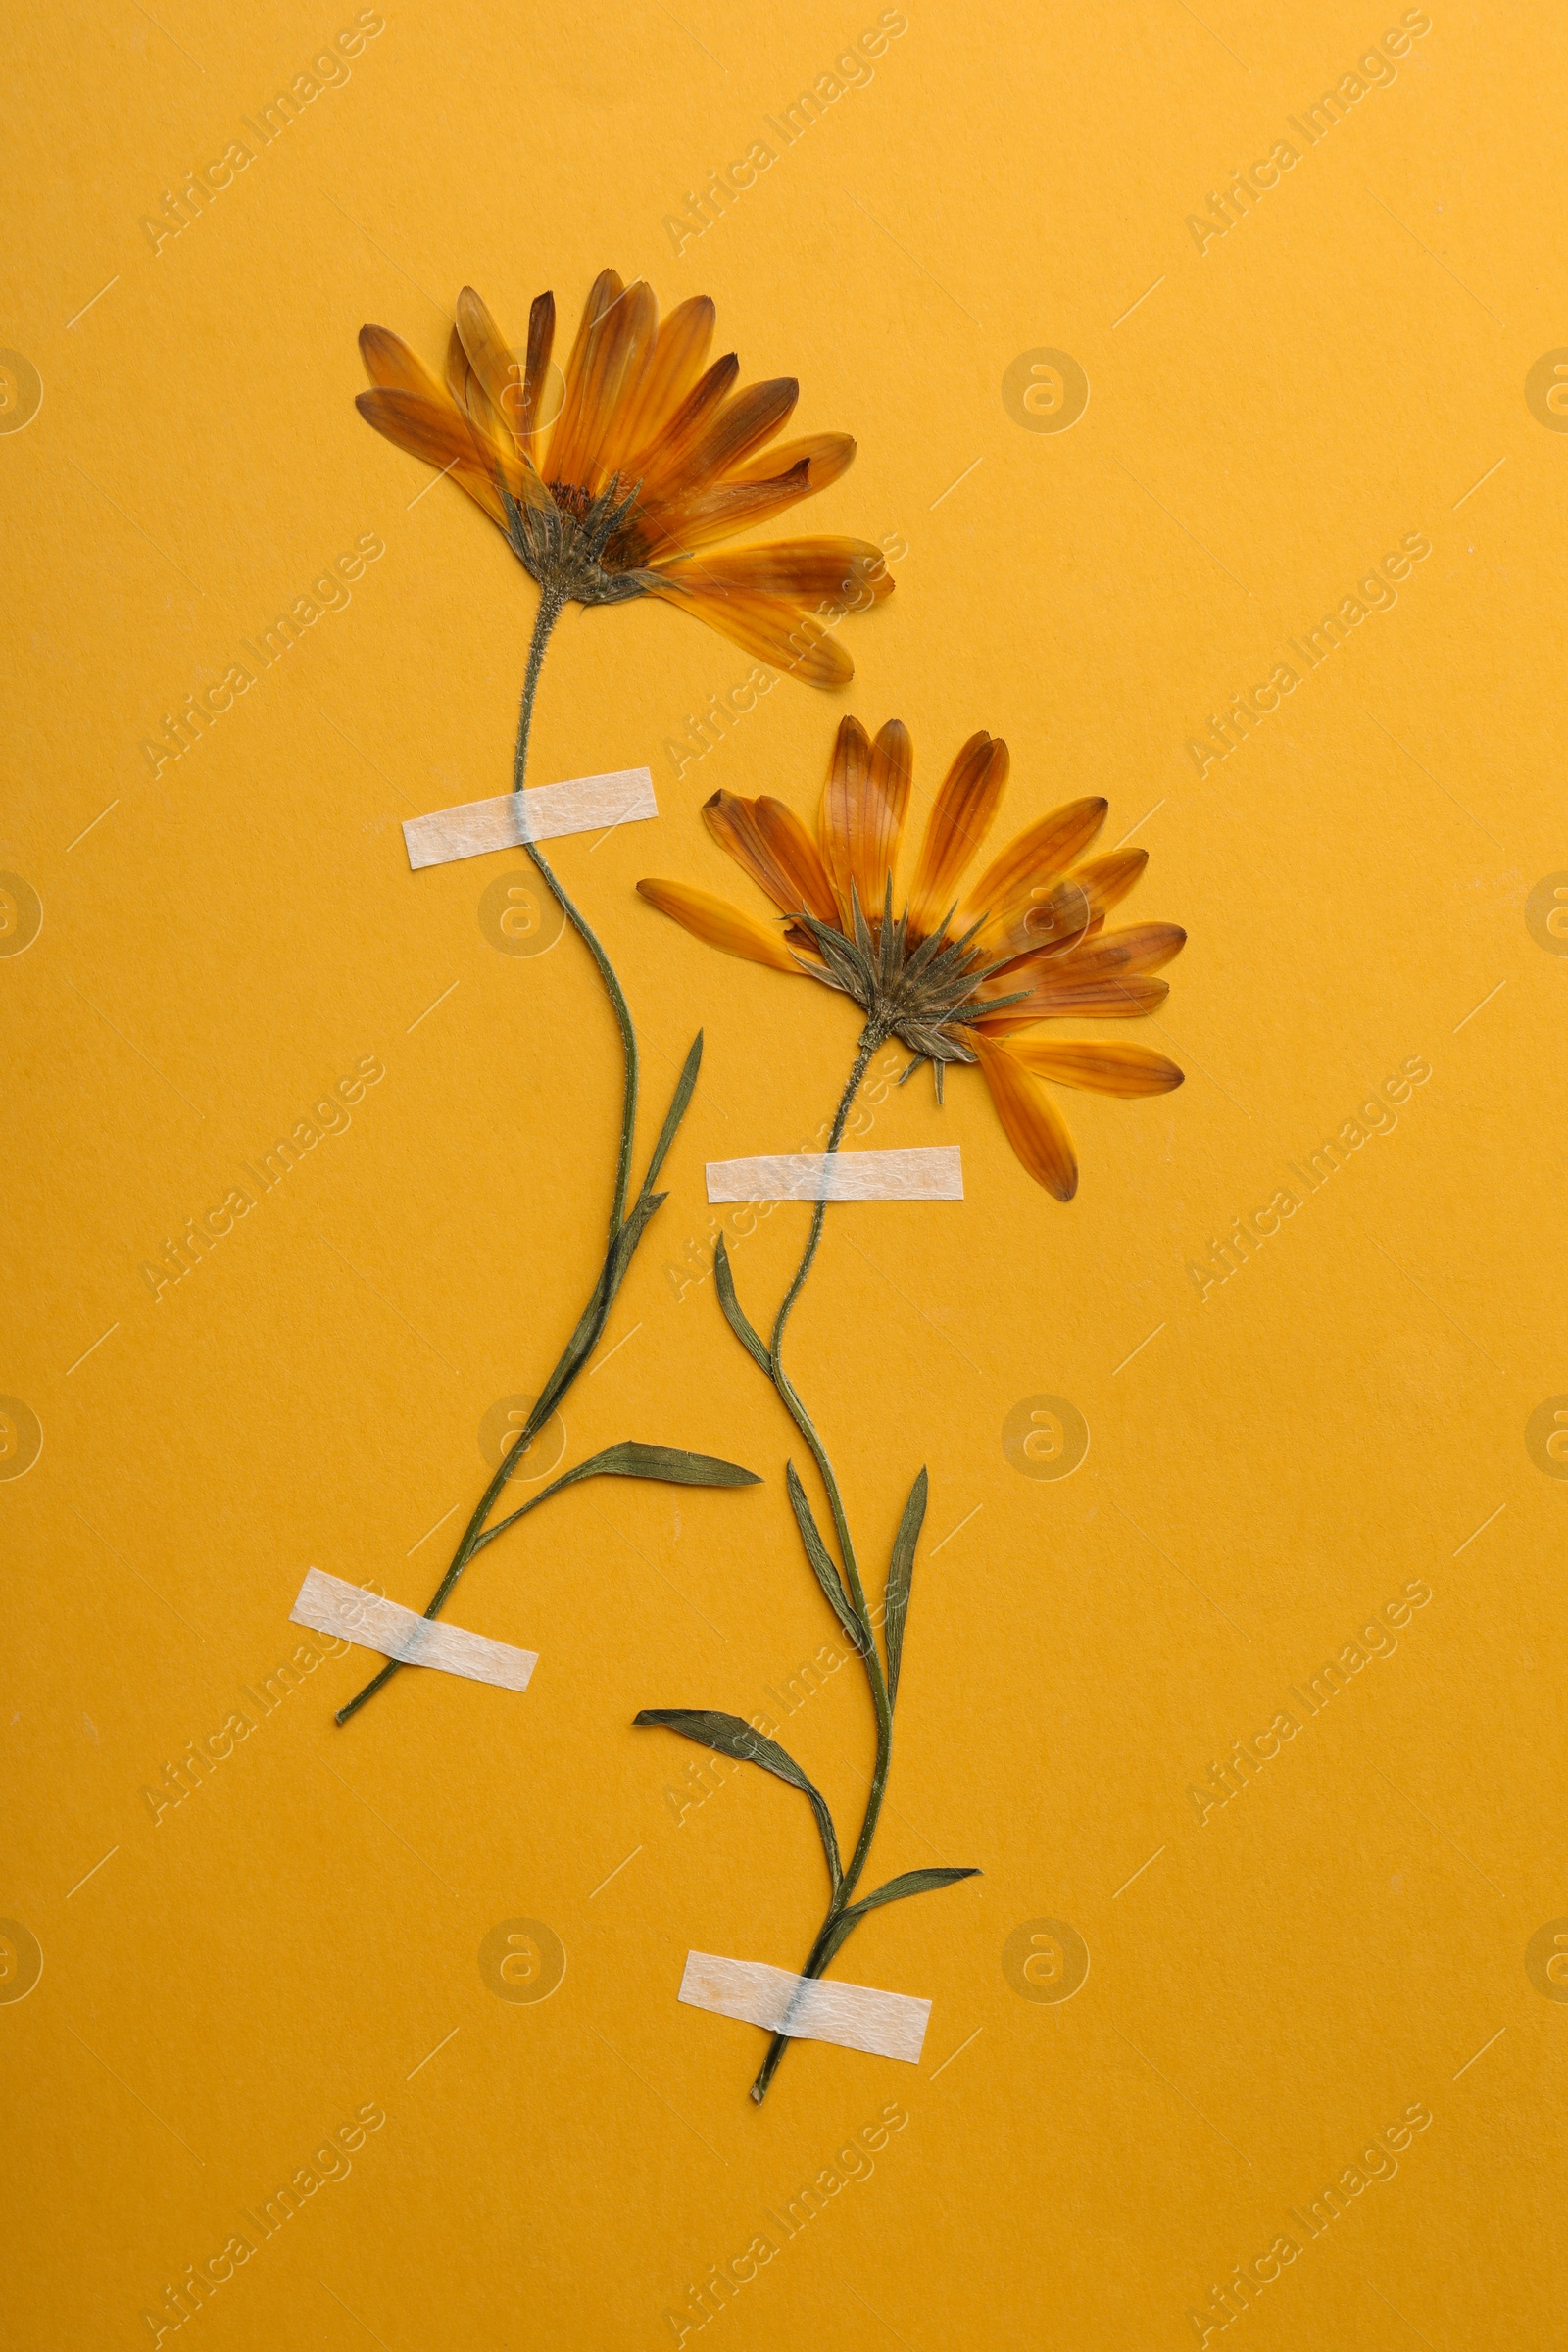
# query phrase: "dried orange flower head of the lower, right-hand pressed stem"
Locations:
[[956, 977]]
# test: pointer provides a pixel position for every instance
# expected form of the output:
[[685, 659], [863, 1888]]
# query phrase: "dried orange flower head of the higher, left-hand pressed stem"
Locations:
[[648, 465]]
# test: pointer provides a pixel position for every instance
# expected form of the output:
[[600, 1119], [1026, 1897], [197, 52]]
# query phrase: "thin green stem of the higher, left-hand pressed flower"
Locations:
[[624, 1234]]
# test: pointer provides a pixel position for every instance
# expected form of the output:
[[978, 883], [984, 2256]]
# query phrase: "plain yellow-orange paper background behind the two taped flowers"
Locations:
[[1292, 1415]]
